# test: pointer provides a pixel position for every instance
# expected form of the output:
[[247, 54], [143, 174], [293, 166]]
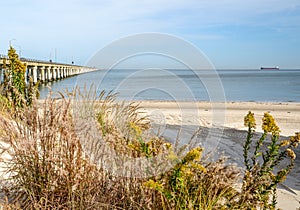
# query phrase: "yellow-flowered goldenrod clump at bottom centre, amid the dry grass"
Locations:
[[192, 185]]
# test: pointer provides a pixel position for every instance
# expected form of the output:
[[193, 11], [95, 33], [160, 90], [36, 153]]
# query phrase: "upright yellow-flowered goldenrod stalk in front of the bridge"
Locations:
[[14, 87]]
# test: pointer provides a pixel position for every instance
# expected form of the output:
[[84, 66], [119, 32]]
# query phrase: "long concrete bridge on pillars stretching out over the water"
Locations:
[[45, 71]]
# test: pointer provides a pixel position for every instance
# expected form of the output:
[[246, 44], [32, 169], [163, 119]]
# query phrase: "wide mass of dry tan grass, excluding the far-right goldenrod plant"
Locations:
[[65, 154]]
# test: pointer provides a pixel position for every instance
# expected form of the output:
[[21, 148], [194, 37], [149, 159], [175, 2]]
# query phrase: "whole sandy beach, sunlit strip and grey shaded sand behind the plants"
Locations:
[[225, 122]]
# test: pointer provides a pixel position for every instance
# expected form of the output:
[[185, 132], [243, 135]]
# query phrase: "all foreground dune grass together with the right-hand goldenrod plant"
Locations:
[[48, 166]]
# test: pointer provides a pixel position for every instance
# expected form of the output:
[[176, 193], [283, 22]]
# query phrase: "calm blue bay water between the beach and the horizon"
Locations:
[[187, 85]]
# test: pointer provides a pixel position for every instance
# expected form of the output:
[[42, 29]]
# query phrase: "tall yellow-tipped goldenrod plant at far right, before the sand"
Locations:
[[265, 167]]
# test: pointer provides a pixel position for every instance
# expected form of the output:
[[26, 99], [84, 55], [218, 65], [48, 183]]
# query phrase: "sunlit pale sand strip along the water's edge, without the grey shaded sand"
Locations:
[[286, 114]]
